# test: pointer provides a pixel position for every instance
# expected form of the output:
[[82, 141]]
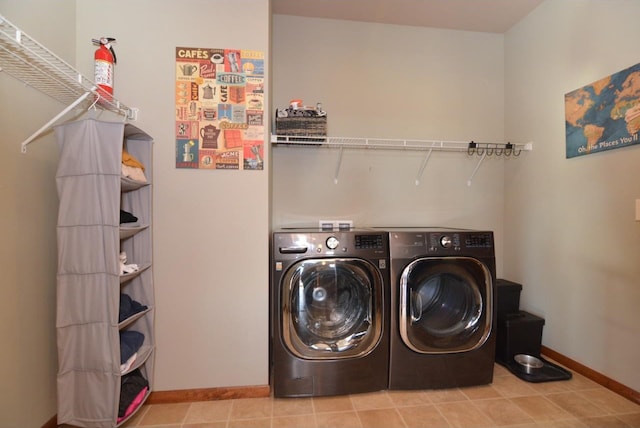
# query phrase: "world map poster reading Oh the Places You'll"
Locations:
[[604, 115]]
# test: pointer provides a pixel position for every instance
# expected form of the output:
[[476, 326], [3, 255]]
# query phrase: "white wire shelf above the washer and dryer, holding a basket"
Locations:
[[470, 147]]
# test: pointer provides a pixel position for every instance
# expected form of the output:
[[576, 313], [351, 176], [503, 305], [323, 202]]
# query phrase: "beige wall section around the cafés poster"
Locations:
[[210, 227]]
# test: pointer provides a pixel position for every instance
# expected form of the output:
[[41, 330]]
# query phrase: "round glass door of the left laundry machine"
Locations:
[[331, 308]]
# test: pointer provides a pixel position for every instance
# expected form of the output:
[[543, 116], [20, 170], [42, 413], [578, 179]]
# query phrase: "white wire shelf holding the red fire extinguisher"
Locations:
[[28, 61]]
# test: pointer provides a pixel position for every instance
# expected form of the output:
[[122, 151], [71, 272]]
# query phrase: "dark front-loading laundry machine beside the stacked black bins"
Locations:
[[442, 308]]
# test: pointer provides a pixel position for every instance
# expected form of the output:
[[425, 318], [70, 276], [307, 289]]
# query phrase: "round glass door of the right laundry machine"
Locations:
[[445, 304]]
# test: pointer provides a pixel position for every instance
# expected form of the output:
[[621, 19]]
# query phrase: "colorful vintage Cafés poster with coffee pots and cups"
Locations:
[[219, 109]]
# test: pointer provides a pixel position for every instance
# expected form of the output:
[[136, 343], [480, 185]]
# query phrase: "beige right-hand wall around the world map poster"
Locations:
[[571, 237]]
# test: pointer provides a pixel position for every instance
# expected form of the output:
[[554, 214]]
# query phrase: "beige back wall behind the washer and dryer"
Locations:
[[388, 81]]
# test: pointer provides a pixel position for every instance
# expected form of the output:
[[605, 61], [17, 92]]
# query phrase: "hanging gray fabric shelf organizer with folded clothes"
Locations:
[[91, 193]]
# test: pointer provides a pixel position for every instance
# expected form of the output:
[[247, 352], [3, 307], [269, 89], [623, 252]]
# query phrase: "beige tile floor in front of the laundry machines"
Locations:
[[507, 402]]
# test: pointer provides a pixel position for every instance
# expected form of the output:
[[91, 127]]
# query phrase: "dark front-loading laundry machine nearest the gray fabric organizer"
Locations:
[[329, 312]]
